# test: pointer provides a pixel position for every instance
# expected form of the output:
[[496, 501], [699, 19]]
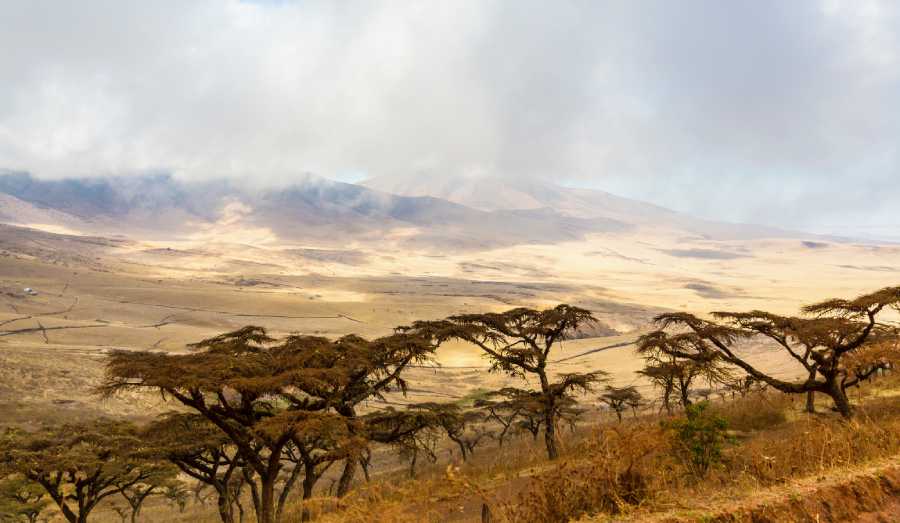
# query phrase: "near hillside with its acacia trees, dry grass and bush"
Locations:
[[280, 429]]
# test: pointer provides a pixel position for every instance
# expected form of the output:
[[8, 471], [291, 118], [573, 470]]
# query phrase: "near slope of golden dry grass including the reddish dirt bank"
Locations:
[[781, 465]]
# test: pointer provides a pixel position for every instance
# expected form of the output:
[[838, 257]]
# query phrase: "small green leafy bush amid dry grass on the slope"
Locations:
[[698, 439]]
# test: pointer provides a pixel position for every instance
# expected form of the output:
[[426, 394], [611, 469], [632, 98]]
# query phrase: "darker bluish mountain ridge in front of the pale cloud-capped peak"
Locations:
[[311, 209]]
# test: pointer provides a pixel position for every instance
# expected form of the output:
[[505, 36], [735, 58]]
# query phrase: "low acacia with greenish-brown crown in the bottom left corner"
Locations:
[[78, 465]]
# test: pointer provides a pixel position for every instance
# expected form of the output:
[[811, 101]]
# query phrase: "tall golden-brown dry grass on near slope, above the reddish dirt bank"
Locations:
[[624, 470]]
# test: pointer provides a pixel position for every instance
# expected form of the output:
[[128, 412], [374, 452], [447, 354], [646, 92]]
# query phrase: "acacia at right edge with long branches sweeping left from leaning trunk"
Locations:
[[819, 342]]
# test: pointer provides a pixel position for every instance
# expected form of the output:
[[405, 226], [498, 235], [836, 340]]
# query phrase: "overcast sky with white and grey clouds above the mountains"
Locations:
[[782, 112]]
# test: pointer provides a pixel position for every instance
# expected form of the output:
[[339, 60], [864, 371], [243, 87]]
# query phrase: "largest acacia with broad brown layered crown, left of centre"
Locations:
[[251, 387]]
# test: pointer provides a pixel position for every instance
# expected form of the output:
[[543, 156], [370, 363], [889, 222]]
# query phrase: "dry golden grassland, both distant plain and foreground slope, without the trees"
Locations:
[[96, 296]]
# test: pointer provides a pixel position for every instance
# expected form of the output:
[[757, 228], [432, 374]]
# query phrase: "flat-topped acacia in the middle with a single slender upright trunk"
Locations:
[[519, 342]]
